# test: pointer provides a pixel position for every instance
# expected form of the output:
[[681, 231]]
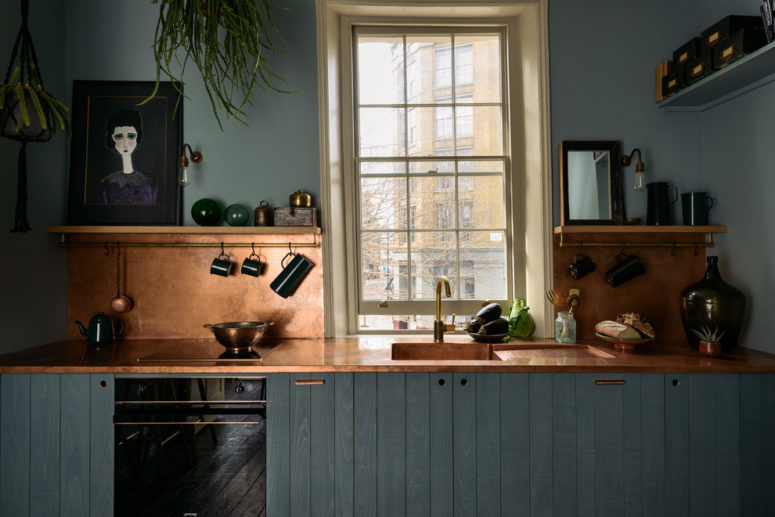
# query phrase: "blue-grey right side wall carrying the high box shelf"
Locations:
[[737, 169]]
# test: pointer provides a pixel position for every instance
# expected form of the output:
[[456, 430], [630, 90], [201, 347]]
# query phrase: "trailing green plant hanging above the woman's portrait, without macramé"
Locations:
[[227, 41]]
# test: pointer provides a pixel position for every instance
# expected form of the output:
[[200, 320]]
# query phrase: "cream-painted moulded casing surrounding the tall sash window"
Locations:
[[528, 90]]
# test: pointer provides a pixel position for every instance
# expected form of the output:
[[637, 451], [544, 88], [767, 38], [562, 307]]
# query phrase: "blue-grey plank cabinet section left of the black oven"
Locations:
[[56, 444]]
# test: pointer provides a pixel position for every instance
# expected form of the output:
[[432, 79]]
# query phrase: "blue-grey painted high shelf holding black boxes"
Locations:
[[742, 76]]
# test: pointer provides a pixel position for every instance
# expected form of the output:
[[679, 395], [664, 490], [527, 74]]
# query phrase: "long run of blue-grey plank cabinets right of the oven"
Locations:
[[521, 444]]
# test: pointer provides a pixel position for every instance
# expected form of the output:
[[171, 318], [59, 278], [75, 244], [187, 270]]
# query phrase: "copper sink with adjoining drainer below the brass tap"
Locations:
[[426, 350]]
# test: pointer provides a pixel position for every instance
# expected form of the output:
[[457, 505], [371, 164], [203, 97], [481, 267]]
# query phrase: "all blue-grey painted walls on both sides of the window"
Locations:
[[602, 58]]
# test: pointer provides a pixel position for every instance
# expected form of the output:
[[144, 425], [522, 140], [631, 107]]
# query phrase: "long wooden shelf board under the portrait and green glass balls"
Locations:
[[211, 230]]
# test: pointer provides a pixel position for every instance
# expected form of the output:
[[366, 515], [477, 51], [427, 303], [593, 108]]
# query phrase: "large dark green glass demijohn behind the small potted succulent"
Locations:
[[713, 303]]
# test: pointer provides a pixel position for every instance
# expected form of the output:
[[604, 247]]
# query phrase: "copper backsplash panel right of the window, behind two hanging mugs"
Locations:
[[655, 294]]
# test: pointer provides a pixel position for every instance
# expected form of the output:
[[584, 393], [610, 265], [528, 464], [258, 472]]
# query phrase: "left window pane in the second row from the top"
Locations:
[[381, 132]]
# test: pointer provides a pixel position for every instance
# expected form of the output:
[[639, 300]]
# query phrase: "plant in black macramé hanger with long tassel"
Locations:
[[28, 112]]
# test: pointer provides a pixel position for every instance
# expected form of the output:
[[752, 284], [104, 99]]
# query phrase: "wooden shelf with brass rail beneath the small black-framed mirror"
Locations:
[[628, 236]]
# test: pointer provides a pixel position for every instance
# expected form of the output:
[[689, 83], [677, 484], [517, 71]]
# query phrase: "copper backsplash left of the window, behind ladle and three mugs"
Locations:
[[174, 293]]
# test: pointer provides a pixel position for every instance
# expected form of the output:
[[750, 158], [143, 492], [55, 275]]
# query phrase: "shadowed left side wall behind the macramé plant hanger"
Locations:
[[33, 269]]
